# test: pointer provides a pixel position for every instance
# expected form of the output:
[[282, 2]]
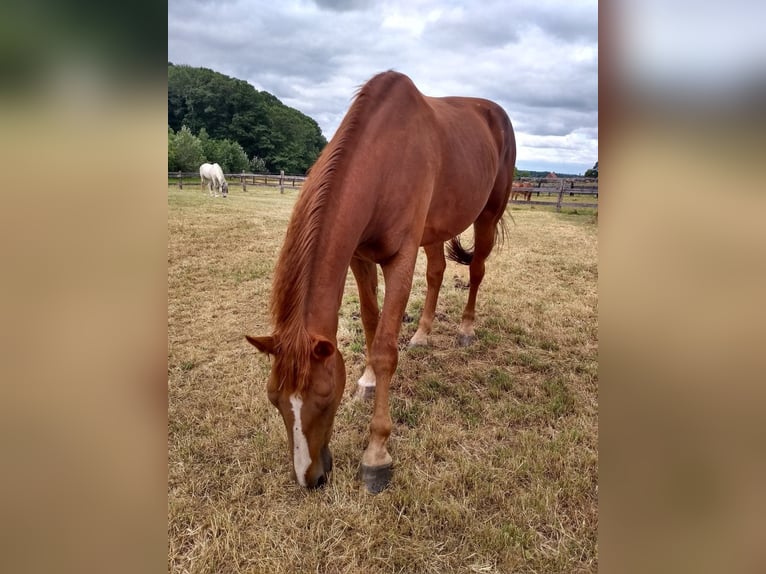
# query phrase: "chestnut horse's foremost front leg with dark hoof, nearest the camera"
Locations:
[[377, 464]]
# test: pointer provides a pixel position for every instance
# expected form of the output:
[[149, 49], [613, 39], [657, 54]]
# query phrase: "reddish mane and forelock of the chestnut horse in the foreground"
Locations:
[[294, 268]]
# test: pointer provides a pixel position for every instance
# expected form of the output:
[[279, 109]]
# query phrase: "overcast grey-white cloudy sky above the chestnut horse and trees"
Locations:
[[536, 58]]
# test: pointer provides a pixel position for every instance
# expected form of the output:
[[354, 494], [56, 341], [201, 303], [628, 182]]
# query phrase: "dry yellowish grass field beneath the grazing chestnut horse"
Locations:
[[494, 446]]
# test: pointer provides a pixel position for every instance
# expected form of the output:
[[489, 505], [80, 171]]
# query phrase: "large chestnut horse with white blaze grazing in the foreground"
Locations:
[[403, 170]]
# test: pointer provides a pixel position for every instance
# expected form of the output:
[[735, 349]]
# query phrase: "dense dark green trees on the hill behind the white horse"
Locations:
[[212, 117]]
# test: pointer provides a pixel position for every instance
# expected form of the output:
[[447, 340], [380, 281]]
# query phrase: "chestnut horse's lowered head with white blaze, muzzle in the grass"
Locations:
[[307, 410]]
